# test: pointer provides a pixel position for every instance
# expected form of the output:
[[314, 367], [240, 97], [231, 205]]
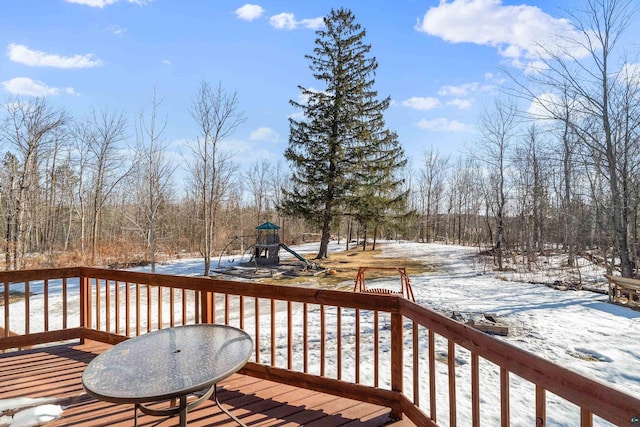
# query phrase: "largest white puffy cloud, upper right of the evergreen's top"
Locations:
[[520, 33]]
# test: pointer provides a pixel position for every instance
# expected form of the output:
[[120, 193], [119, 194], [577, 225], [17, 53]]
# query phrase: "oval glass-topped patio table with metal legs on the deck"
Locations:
[[169, 365]]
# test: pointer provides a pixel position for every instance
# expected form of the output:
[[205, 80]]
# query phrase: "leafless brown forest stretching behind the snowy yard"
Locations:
[[554, 166]]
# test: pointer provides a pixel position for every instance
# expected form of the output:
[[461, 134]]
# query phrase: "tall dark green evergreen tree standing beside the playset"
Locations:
[[340, 146]]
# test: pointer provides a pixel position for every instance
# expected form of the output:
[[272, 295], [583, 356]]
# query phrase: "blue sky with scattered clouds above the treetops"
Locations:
[[439, 61]]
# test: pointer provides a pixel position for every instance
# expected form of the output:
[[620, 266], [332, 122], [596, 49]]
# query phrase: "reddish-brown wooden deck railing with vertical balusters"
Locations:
[[378, 349]]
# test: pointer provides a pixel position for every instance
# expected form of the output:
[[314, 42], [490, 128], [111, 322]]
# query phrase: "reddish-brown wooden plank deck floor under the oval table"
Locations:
[[55, 372]]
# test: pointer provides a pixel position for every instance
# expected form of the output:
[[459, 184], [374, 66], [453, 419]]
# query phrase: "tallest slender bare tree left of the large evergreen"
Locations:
[[216, 114]]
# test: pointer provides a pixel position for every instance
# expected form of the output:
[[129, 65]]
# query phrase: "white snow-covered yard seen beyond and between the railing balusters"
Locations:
[[576, 329]]
